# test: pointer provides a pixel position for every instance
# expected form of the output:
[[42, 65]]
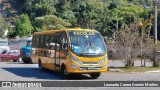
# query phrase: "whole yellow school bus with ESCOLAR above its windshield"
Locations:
[[70, 51]]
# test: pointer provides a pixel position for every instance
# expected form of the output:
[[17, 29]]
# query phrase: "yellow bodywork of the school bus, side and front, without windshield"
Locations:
[[51, 58]]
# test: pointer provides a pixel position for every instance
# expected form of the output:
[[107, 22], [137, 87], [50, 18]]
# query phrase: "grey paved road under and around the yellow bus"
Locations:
[[16, 71]]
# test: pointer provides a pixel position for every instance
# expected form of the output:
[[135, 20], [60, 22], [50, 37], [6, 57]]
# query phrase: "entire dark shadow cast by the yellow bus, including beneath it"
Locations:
[[36, 73]]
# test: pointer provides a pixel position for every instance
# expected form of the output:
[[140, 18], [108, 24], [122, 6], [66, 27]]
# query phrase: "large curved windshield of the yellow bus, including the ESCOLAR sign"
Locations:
[[86, 43]]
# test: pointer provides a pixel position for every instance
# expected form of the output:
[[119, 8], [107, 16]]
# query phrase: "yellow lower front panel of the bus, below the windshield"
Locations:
[[87, 63]]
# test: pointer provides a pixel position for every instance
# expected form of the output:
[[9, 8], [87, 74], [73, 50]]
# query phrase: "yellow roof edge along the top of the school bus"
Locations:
[[60, 30]]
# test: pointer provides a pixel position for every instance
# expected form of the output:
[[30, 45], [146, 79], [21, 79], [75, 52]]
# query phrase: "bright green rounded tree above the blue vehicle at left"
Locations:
[[23, 26]]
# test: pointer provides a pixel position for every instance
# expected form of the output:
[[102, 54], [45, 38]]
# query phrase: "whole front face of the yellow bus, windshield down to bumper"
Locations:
[[88, 53]]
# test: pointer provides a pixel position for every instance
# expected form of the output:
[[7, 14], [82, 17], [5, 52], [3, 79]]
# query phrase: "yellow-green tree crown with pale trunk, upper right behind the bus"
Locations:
[[121, 16]]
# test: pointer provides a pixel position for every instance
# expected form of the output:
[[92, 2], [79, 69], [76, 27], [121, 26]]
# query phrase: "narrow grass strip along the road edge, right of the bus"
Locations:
[[137, 69]]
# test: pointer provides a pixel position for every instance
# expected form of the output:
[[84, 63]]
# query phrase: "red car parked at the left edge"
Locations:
[[10, 55]]
